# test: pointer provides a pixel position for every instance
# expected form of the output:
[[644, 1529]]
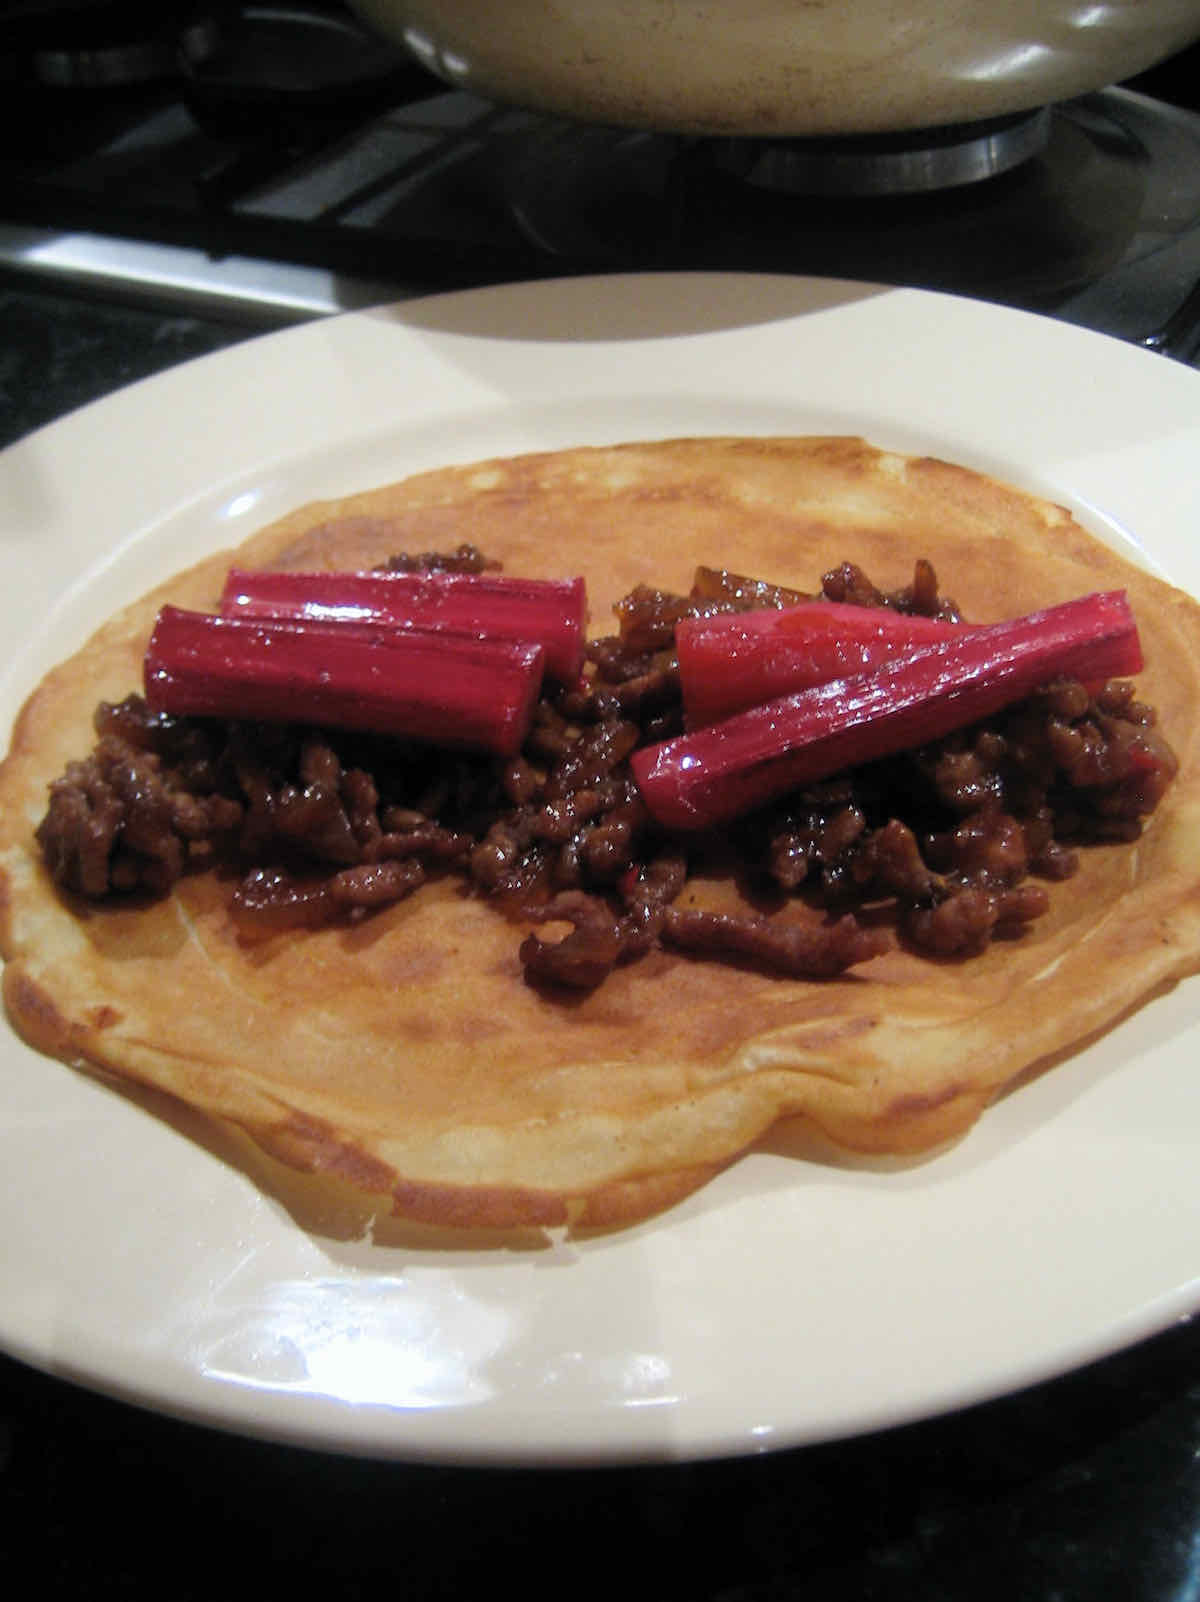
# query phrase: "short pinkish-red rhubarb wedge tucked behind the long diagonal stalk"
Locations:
[[739, 659]]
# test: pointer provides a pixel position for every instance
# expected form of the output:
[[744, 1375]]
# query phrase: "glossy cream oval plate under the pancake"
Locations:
[[789, 1302]]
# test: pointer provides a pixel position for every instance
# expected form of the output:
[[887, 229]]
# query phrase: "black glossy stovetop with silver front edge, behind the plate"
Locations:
[[267, 193]]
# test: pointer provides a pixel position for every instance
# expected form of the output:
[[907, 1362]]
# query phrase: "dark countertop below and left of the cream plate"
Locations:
[[1077, 1491]]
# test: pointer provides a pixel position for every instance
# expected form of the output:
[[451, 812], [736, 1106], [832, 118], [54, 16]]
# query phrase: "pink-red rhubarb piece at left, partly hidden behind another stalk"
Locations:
[[547, 611]]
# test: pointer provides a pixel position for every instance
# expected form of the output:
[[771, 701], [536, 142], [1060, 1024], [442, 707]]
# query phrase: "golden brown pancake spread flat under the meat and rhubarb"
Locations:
[[408, 1055]]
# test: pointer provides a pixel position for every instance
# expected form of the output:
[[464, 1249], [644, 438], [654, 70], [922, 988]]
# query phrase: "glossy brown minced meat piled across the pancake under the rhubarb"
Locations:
[[328, 827]]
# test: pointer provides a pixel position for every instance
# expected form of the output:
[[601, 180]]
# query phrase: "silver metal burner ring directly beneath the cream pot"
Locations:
[[895, 164]]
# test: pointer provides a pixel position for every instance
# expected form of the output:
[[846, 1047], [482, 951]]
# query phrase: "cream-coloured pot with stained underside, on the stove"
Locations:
[[783, 70]]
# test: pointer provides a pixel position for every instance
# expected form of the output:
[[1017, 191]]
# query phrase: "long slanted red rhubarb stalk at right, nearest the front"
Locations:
[[712, 776]]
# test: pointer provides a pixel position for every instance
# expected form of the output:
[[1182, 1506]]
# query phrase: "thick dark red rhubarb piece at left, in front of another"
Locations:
[[427, 686]]
